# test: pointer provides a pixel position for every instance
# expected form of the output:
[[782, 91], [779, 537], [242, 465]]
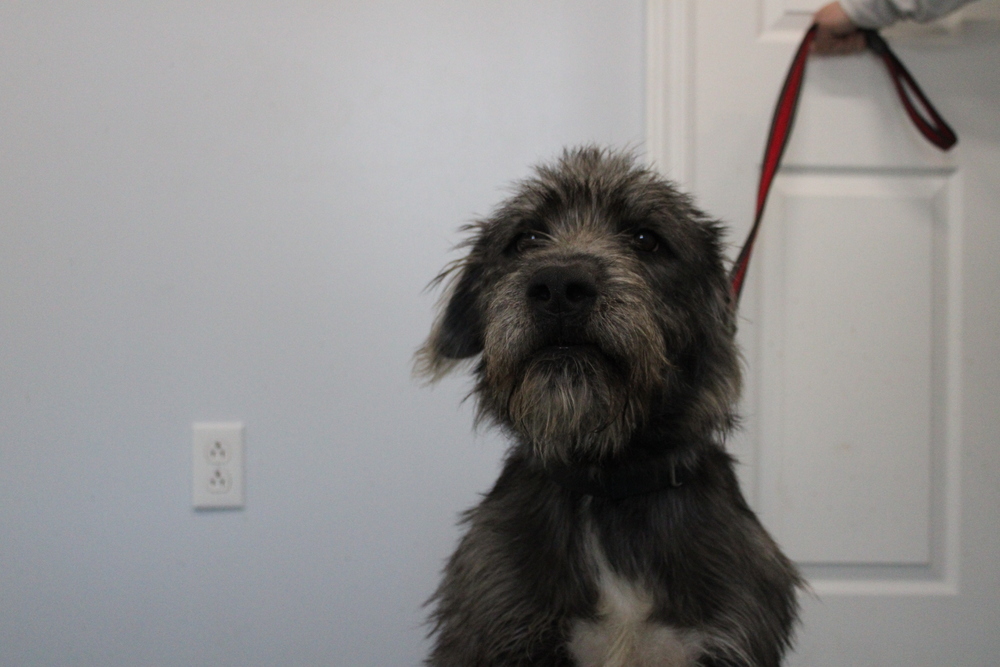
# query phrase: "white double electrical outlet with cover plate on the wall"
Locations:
[[218, 465]]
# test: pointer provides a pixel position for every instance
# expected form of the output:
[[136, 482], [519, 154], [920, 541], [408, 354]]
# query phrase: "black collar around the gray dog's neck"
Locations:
[[623, 482]]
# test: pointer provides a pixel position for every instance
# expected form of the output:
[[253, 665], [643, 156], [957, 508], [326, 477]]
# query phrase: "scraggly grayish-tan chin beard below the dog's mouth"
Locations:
[[571, 405]]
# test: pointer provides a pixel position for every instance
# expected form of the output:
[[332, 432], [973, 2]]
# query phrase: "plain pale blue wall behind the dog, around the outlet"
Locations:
[[229, 211]]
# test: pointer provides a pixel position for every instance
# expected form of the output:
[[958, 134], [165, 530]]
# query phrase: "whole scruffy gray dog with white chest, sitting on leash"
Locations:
[[596, 307]]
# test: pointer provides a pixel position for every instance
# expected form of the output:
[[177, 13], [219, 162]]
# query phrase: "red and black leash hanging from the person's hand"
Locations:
[[930, 124]]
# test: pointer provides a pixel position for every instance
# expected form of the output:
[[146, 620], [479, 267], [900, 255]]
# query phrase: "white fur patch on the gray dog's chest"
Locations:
[[624, 635]]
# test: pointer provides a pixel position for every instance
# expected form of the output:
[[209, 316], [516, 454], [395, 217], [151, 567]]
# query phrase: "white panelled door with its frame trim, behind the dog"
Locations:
[[869, 320]]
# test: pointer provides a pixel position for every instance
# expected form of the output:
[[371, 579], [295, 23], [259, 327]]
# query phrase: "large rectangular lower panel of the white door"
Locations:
[[854, 369]]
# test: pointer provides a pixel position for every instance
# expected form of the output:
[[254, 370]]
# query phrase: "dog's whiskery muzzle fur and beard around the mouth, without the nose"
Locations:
[[573, 403]]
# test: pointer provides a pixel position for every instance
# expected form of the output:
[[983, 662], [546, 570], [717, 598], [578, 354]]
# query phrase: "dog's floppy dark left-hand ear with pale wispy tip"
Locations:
[[458, 332]]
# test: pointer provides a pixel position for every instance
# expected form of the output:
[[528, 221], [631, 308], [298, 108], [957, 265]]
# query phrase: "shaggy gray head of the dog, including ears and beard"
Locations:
[[597, 302]]
